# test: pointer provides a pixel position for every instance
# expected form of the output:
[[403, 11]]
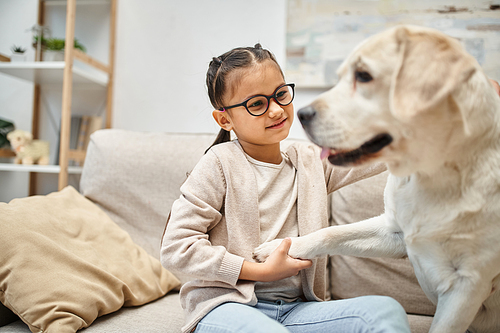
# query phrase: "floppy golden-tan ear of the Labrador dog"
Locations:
[[430, 67]]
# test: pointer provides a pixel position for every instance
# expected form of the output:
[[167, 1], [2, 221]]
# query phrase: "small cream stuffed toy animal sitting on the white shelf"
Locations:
[[28, 151]]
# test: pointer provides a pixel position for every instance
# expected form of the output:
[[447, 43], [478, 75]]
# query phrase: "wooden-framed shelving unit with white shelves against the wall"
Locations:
[[68, 77]]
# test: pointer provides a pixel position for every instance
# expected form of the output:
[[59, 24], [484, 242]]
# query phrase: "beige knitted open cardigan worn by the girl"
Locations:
[[214, 225]]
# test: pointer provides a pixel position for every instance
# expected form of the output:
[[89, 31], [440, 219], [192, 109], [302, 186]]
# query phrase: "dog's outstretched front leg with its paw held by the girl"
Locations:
[[369, 238]]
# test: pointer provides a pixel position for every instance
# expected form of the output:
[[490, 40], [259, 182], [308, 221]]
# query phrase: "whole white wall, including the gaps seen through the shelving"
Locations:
[[163, 49]]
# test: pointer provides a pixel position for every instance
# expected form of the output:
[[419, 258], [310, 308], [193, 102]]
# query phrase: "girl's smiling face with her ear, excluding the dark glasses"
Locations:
[[259, 136]]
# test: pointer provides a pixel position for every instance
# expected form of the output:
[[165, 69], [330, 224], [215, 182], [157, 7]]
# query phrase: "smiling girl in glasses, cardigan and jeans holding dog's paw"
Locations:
[[248, 191]]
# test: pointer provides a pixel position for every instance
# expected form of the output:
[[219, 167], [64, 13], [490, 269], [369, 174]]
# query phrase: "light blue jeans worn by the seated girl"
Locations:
[[374, 314]]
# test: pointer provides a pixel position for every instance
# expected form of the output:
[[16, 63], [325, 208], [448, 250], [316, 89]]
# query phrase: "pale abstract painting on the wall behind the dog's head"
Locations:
[[321, 33]]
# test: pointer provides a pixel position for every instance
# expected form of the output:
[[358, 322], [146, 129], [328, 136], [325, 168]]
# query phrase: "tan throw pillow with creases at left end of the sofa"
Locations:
[[64, 262]]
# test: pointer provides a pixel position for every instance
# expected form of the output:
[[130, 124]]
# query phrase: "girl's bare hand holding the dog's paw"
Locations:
[[278, 266]]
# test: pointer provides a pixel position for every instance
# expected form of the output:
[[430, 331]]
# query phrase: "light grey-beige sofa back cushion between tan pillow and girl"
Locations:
[[136, 176]]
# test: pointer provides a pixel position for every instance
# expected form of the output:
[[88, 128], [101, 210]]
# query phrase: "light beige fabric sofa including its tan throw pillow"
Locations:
[[129, 181]]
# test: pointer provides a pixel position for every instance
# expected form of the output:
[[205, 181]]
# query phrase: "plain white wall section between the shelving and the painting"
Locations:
[[163, 51]]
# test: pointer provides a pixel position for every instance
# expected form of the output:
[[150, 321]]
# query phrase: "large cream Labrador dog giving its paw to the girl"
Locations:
[[429, 112]]
